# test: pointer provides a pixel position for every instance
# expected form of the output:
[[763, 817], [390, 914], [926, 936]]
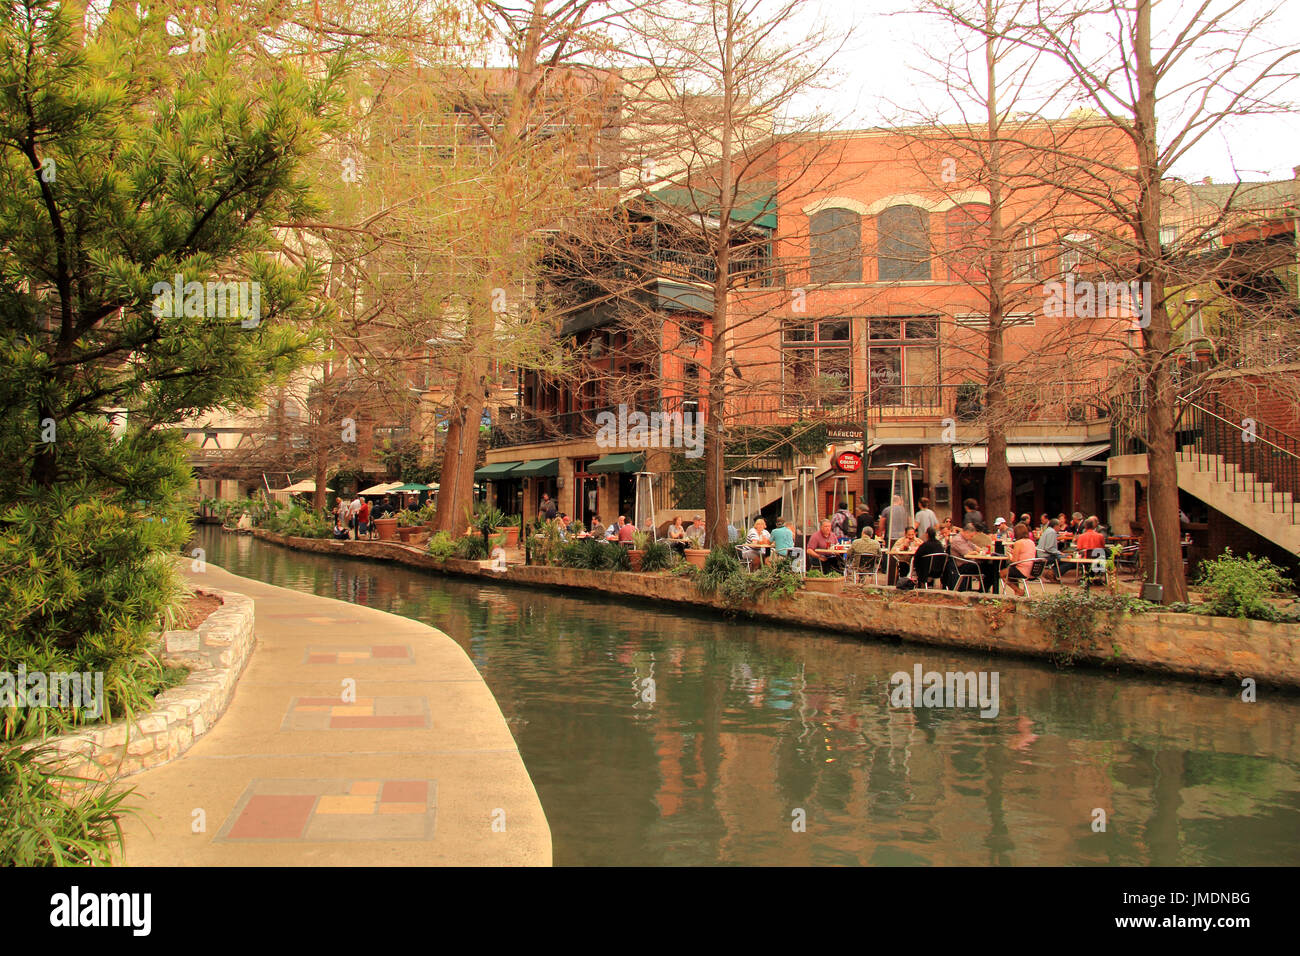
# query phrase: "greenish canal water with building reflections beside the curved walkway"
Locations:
[[657, 737]]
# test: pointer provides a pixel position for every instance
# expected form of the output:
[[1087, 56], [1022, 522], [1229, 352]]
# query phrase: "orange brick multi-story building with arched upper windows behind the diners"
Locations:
[[864, 308]]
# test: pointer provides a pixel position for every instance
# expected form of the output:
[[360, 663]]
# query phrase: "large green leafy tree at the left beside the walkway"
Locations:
[[163, 166]]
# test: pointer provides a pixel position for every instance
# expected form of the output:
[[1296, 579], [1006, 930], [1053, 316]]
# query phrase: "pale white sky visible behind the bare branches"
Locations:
[[877, 75]]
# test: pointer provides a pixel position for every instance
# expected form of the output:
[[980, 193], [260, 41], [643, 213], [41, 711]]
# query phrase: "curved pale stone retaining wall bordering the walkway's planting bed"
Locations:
[[216, 652]]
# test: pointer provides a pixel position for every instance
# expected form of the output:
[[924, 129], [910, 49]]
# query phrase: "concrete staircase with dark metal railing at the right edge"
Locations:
[[1240, 495]]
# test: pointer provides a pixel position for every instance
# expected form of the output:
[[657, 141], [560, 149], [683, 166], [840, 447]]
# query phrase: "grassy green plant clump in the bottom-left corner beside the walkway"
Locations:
[[41, 827]]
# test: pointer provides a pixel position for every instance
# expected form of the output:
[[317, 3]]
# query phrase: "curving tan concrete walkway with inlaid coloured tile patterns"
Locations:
[[356, 738]]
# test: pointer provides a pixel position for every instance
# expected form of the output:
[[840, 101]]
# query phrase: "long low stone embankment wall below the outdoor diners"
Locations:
[[1186, 646]]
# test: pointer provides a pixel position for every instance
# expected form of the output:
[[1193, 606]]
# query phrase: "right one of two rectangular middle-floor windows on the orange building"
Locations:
[[903, 362]]
